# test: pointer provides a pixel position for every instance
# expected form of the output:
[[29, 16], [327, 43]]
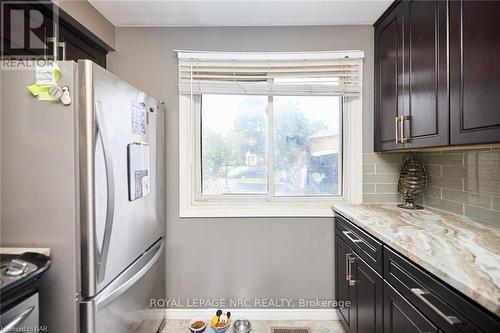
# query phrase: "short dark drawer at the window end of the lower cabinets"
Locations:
[[367, 247]]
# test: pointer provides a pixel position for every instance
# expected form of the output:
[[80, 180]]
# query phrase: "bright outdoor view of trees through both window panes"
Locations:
[[306, 140]]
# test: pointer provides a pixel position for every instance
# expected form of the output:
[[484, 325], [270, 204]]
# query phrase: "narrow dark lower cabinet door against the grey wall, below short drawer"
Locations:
[[342, 288]]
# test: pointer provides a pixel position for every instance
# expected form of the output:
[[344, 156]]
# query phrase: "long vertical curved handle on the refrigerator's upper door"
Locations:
[[110, 195]]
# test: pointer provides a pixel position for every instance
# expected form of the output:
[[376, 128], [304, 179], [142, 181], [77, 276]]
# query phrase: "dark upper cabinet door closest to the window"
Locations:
[[389, 78]]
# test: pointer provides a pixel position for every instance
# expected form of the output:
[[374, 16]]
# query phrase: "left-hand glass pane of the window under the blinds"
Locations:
[[233, 144]]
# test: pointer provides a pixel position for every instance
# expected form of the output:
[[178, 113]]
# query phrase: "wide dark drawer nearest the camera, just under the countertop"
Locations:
[[445, 307]]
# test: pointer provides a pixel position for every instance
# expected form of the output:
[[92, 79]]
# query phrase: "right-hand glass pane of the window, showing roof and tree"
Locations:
[[307, 145]]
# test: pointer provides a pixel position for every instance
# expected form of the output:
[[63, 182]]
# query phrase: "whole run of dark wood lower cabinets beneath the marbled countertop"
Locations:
[[404, 298]]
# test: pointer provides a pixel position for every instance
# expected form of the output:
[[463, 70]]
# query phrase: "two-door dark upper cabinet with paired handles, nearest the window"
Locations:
[[411, 76]]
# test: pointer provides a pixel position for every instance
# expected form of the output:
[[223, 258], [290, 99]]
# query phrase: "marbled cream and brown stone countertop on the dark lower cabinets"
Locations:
[[460, 251]]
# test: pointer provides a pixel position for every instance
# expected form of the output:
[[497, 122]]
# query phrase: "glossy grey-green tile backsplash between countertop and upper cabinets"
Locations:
[[464, 182]]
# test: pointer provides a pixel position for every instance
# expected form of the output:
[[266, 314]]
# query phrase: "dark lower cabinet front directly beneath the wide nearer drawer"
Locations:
[[401, 316]]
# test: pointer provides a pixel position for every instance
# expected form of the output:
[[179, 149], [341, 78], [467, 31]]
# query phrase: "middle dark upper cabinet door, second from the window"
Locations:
[[426, 62]]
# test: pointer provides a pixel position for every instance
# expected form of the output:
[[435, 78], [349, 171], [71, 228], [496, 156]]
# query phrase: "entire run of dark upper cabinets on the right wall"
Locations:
[[437, 68]]
